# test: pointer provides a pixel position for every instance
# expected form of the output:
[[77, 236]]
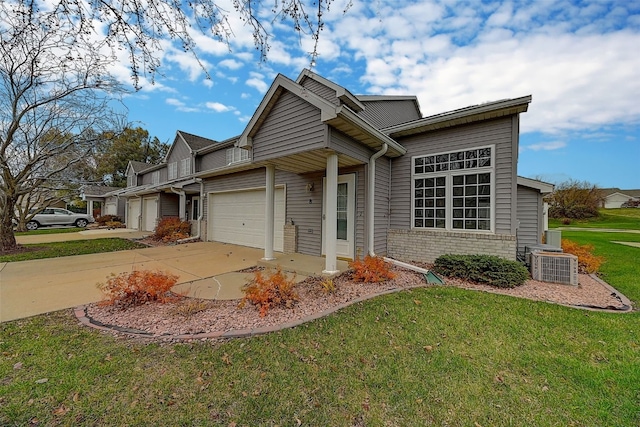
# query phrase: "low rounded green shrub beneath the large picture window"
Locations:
[[487, 269]]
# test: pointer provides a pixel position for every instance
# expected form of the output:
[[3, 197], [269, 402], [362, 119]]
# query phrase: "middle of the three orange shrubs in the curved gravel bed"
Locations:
[[270, 290]]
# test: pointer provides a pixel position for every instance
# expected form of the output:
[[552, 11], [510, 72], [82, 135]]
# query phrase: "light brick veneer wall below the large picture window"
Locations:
[[426, 245]]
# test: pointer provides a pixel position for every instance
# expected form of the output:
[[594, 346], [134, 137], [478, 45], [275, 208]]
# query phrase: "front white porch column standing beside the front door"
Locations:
[[331, 215]]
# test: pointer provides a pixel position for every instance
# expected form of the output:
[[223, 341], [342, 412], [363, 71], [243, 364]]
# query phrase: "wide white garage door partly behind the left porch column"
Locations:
[[238, 217]]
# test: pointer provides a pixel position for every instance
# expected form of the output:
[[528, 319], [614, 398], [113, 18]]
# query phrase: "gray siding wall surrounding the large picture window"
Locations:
[[494, 132]]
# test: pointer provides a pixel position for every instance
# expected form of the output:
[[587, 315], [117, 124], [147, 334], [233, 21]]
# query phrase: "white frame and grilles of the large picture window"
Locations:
[[445, 171]]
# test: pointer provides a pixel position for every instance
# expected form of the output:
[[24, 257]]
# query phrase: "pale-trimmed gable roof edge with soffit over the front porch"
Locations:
[[340, 117]]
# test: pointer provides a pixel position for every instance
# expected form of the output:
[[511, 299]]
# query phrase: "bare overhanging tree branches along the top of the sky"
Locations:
[[139, 27]]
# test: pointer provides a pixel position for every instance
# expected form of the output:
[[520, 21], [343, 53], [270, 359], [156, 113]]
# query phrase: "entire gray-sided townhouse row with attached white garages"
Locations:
[[390, 181]]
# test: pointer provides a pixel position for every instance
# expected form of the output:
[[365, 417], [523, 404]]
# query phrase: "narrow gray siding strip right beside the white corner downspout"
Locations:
[[382, 195]]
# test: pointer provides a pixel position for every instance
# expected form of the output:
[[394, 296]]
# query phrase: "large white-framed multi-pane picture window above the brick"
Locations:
[[454, 191]]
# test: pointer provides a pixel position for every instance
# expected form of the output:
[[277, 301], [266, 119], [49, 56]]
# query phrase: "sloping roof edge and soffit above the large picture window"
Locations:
[[474, 113]]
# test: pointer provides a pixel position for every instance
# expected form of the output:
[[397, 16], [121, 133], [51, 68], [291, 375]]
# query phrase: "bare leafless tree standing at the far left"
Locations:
[[54, 102]]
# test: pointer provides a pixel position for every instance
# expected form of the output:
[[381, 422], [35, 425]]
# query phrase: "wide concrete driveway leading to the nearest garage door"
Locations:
[[29, 288]]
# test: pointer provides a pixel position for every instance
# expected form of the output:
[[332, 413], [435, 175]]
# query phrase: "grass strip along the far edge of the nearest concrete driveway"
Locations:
[[73, 247]]
